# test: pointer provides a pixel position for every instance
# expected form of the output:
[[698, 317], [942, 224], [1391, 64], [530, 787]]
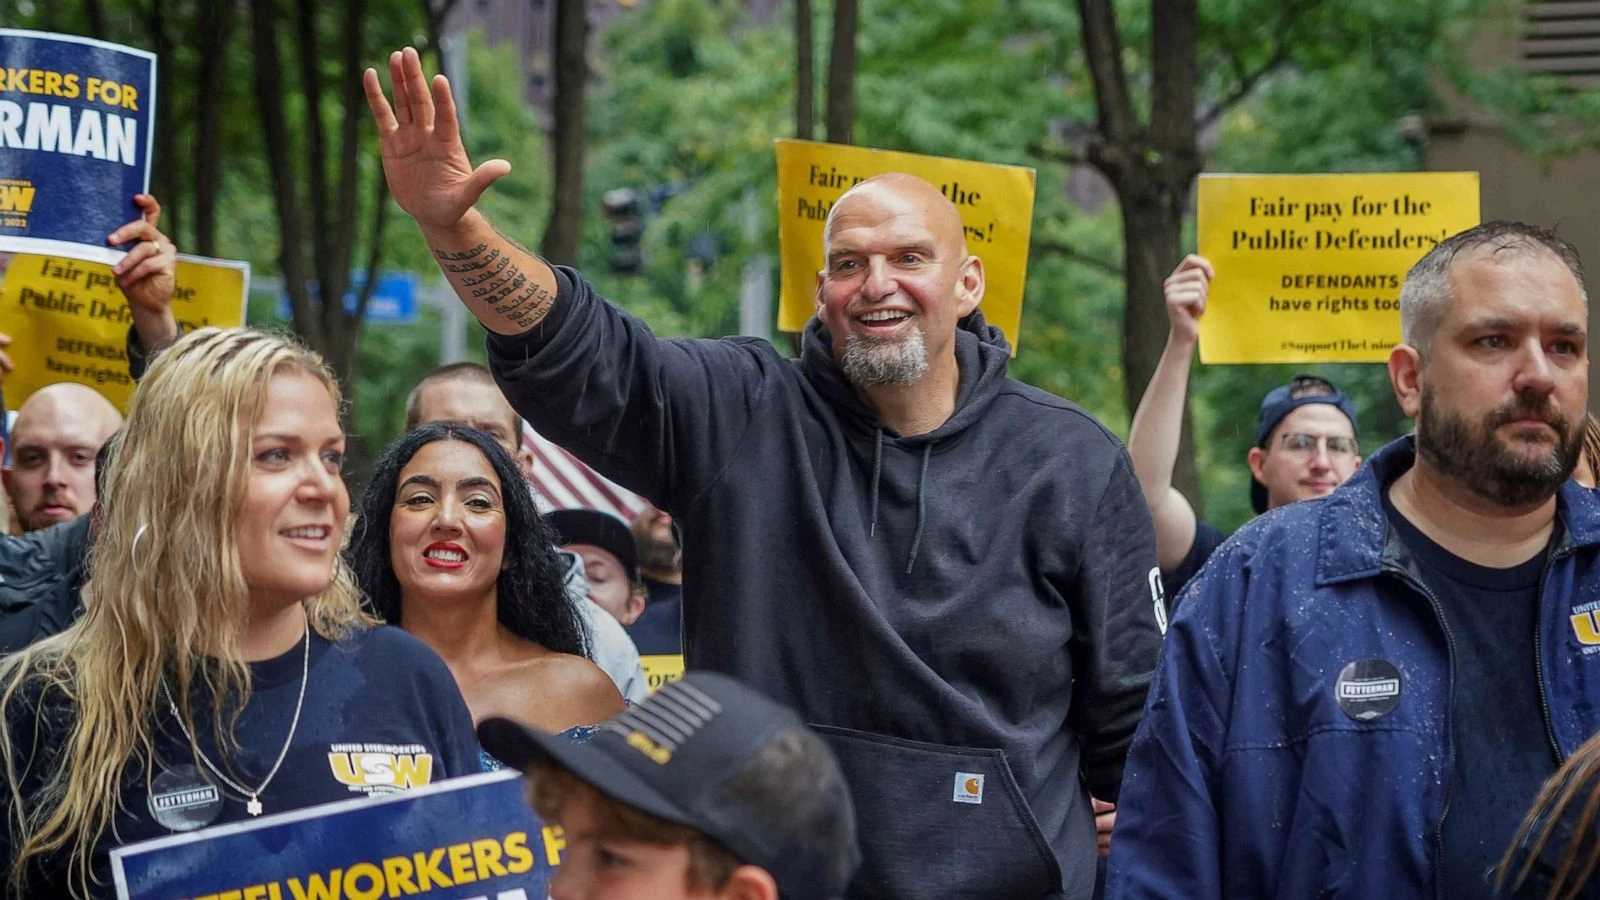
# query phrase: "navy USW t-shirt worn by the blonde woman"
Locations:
[[382, 715]]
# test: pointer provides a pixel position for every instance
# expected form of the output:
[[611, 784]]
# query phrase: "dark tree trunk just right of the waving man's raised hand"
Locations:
[[569, 57]]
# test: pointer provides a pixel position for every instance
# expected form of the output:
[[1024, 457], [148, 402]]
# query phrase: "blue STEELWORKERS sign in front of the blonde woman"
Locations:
[[460, 840]]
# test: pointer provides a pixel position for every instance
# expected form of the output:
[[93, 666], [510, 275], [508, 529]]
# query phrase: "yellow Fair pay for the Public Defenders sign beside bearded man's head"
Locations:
[[1310, 267]]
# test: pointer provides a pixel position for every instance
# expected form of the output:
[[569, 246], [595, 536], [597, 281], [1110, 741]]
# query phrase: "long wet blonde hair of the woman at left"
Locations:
[[166, 592]]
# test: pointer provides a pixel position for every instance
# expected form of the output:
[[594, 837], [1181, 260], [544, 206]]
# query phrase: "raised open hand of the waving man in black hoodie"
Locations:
[[428, 167]]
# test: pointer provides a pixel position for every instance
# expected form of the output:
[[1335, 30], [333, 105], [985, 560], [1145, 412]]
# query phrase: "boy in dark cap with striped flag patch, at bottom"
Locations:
[[708, 790]]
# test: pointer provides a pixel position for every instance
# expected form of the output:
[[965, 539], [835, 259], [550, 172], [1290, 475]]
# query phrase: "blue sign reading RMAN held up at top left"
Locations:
[[76, 134]]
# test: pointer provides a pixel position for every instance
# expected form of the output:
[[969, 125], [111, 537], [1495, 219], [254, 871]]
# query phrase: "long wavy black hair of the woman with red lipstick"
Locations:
[[532, 600]]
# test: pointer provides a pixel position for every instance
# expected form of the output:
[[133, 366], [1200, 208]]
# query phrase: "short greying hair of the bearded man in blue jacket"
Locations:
[[1426, 291]]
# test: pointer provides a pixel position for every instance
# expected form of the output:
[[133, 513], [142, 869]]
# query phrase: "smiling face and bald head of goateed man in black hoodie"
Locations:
[[897, 281]]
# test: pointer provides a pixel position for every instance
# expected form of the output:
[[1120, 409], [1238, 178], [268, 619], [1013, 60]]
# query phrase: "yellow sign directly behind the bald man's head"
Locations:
[[996, 204]]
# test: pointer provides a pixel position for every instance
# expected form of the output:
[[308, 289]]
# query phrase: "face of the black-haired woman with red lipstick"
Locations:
[[447, 534]]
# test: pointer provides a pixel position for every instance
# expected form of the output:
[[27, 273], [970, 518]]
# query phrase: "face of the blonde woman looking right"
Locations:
[[292, 521]]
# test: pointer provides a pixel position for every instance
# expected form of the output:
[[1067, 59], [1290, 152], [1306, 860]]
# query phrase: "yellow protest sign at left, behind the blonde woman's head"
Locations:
[[70, 323]]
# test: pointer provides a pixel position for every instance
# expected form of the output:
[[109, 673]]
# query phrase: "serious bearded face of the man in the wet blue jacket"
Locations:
[[1505, 387]]
